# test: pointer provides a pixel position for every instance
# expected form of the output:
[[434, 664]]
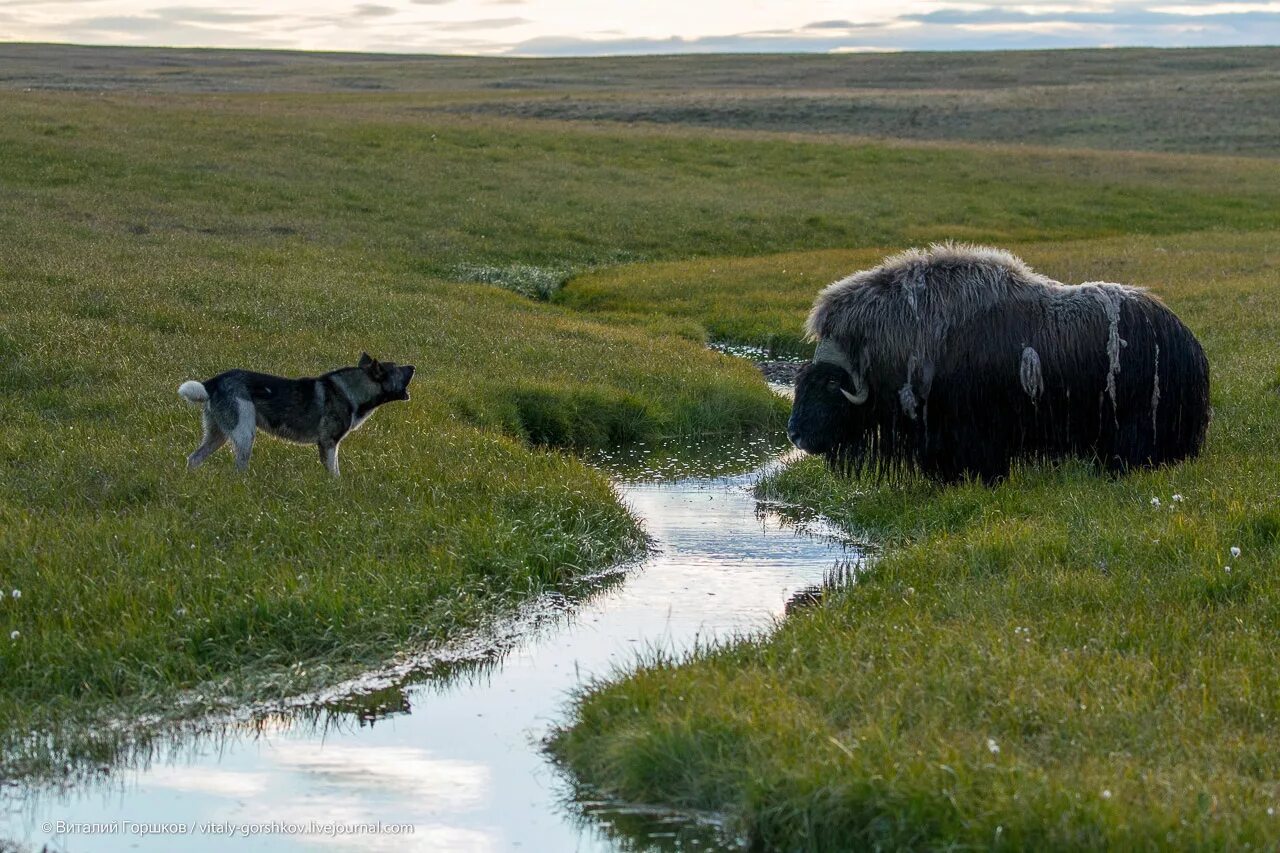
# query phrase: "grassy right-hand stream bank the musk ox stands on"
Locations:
[[1064, 662]]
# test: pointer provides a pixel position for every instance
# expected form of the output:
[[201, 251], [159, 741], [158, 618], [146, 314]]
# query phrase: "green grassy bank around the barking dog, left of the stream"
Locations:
[[139, 578]]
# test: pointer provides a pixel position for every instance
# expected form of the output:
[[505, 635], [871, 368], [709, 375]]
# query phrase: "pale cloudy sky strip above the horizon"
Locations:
[[604, 28]]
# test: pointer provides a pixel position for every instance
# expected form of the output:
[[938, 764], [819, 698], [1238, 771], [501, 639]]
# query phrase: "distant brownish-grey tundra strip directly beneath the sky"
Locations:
[[1195, 101]]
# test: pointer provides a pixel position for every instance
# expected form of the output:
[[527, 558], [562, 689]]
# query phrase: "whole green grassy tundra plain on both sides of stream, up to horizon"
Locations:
[[1060, 660]]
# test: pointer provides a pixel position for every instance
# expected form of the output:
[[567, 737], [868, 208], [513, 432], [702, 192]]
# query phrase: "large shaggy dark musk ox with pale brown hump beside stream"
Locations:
[[958, 361]]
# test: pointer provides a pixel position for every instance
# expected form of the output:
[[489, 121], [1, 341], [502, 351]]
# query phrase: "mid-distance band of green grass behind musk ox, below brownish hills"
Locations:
[[446, 197]]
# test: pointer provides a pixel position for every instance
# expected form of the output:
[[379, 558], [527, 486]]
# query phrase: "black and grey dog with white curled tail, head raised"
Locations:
[[319, 410]]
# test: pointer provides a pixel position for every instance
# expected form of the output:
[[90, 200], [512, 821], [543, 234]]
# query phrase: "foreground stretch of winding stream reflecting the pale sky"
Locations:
[[459, 758]]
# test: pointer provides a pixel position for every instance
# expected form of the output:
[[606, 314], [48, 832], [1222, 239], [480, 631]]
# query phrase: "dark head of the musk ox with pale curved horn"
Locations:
[[830, 398]]
